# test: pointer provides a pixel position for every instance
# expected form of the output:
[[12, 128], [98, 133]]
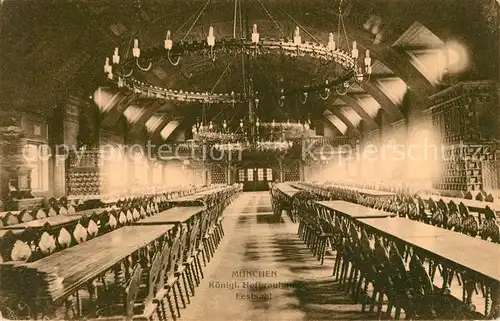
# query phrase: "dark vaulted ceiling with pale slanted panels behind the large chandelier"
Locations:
[[51, 47]]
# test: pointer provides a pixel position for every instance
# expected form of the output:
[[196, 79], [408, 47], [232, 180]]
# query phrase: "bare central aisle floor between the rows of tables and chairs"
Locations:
[[263, 271]]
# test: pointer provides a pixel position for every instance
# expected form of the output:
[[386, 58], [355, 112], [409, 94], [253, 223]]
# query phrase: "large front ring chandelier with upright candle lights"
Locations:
[[356, 70]]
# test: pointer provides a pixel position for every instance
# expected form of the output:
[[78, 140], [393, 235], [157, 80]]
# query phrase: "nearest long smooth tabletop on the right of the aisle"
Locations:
[[470, 253]]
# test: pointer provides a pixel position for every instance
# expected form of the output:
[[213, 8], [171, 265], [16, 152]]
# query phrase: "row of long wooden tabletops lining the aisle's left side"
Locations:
[[71, 268]]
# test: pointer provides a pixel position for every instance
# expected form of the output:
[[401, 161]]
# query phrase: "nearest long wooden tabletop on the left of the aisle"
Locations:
[[62, 273]]
